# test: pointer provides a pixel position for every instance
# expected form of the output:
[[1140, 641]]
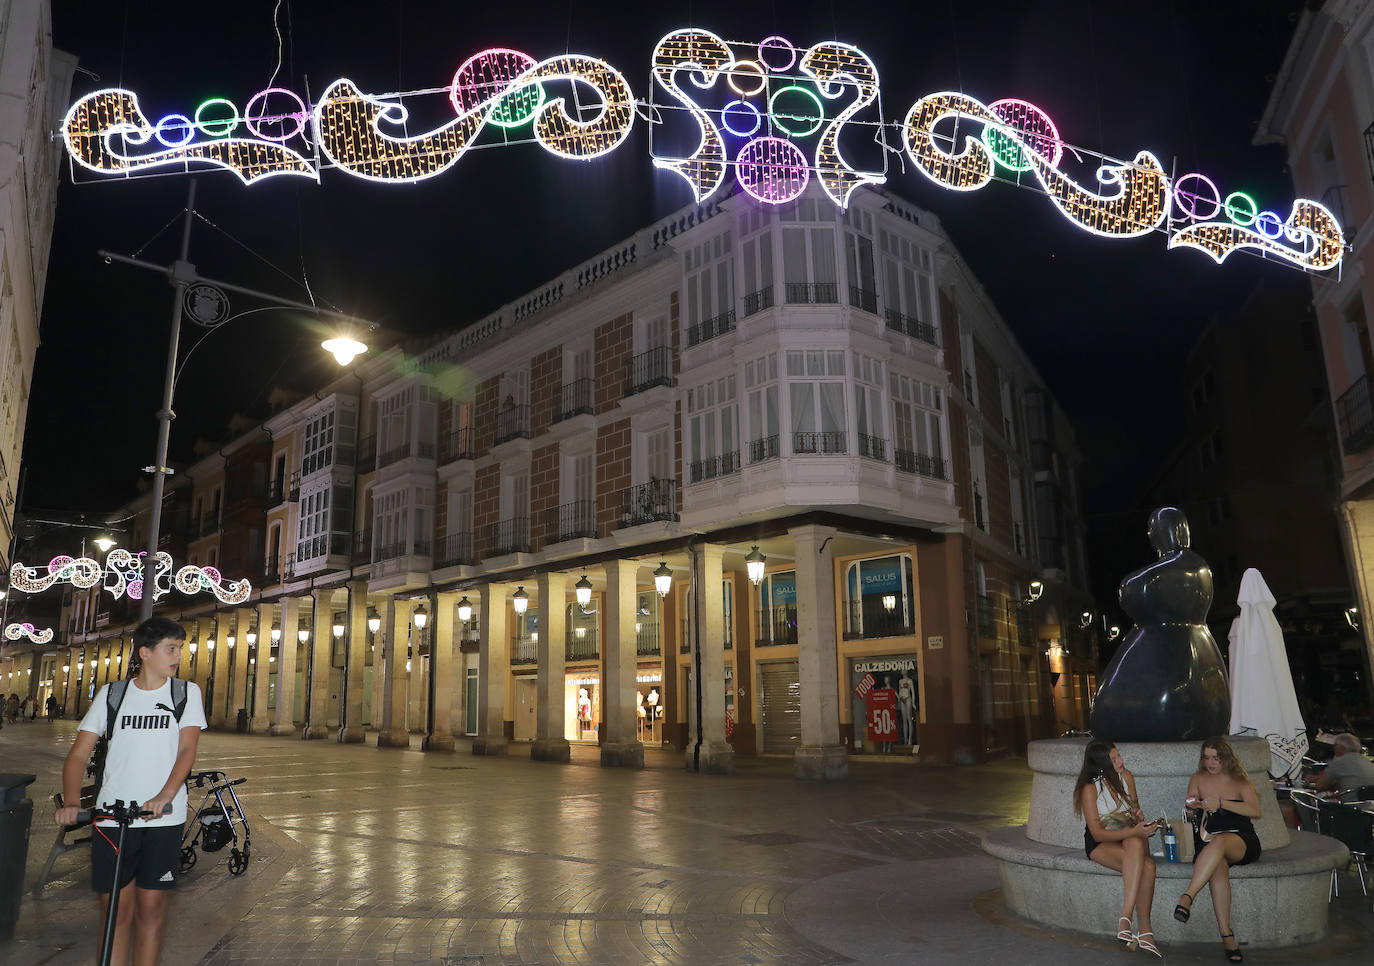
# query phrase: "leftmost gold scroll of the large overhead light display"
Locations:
[[93, 124]]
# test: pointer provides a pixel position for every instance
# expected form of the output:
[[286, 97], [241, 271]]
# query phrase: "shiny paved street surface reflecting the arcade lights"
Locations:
[[392, 857]]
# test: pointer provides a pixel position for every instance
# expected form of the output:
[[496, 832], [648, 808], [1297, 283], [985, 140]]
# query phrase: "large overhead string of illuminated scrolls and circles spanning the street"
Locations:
[[773, 115]]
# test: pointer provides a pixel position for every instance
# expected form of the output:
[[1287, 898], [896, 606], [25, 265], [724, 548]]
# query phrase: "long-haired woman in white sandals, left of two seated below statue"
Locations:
[[1114, 836]]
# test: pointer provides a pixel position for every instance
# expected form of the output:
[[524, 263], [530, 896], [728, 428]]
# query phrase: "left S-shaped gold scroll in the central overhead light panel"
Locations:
[[706, 56]]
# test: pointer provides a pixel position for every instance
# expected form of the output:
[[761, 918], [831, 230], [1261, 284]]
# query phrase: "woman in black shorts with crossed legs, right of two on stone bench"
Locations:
[[1225, 835]]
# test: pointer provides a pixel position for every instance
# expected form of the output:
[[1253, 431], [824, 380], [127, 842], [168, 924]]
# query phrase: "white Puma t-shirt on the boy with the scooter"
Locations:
[[144, 745]]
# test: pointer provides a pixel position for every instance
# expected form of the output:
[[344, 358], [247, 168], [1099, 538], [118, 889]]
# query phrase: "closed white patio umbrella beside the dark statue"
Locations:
[[1263, 701]]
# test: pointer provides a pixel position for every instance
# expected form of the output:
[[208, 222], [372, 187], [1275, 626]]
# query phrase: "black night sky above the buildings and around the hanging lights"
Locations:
[[1107, 322]]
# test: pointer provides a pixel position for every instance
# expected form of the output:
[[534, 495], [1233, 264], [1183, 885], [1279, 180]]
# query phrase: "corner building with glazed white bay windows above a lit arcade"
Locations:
[[831, 391]]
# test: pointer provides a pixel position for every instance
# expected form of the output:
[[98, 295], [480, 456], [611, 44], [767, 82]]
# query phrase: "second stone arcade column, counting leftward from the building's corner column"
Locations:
[[714, 754]]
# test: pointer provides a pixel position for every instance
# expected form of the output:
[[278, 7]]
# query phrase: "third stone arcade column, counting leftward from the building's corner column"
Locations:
[[622, 745]]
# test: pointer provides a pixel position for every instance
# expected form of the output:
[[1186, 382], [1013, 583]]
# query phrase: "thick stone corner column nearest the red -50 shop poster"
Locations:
[[821, 755]]
